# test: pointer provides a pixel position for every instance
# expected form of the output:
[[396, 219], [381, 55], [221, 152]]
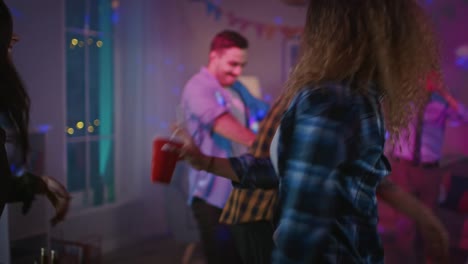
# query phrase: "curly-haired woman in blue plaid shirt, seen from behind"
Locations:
[[358, 58]]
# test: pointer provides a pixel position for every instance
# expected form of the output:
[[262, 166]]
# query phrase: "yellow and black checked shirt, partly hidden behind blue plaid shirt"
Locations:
[[247, 204]]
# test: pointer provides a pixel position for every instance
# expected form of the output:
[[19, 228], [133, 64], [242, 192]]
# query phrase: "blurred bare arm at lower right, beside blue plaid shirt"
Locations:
[[434, 233]]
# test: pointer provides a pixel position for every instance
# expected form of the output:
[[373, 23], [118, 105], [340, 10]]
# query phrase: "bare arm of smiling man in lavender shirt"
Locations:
[[227, 126]]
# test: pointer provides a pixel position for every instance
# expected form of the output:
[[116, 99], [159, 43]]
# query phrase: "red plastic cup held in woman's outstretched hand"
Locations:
[[163, 162]]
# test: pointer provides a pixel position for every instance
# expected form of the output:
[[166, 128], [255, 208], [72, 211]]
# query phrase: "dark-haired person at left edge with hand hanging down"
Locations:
[[19, 186]]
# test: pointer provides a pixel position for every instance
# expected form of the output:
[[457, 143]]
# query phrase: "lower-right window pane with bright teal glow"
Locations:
[[102, 171]]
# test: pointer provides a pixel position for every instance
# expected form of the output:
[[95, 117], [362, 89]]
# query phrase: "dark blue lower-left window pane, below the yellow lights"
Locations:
[[76, 169]]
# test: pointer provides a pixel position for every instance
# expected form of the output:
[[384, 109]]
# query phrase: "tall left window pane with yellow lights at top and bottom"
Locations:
[[76, 95]]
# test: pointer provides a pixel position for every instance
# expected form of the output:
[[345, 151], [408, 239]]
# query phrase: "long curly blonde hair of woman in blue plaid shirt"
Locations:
[[386, 42]]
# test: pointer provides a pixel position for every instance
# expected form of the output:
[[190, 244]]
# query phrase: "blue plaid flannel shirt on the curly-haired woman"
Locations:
[[330, 161]]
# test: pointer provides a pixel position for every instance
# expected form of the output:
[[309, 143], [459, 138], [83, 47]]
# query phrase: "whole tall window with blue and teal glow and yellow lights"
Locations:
[[90, 100]]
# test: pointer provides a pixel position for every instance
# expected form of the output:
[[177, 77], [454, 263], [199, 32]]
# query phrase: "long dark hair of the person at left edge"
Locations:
[[14, 100]]
